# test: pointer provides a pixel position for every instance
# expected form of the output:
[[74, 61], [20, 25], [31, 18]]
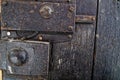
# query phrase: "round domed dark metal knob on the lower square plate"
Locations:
[[18, 56]]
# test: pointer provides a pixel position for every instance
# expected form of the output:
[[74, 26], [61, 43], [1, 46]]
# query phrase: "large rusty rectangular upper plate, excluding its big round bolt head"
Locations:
[[22, 15]]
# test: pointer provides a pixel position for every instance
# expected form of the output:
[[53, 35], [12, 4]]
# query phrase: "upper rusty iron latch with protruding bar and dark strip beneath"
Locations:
[[49, 20]]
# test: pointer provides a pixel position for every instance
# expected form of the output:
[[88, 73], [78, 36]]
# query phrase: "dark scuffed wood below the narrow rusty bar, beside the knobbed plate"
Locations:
[[73, 60]]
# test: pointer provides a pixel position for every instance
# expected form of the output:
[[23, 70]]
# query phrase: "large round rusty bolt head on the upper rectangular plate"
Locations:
[[46, 11]]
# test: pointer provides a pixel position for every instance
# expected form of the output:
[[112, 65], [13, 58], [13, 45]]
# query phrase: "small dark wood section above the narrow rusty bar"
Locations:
[[86, 7]]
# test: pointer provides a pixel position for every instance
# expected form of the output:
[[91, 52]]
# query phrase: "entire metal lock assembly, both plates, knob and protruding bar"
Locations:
[[28, 28]]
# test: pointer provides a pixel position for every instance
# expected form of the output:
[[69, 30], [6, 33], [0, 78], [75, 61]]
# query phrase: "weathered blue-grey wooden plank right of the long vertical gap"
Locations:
[[107, 61]]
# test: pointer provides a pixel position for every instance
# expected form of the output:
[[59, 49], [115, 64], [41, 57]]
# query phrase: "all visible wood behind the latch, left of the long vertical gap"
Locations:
[[72, 60]]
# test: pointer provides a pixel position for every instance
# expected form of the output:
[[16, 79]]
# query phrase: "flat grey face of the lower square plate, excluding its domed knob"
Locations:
[[38, 58]]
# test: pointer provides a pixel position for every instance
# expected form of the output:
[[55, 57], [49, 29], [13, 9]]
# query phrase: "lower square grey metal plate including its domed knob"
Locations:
[[25, 58]]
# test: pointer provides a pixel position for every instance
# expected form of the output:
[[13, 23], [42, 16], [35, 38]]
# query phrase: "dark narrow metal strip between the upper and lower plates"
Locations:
[[56, 38]]
